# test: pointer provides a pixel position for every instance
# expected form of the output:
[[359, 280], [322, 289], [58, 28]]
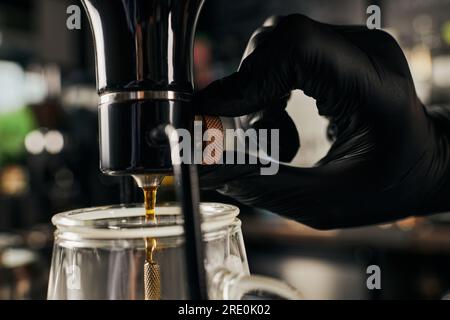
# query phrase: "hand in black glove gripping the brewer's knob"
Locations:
[[390, 155]]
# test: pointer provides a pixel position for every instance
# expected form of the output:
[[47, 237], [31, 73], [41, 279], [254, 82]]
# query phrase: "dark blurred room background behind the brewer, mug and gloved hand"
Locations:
[[49, 147]]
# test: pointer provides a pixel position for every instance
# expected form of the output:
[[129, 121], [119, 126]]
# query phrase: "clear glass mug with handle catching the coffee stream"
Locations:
[[101, 253]]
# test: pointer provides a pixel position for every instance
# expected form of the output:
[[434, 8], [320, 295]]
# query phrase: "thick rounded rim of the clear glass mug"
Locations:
[[128, 221]]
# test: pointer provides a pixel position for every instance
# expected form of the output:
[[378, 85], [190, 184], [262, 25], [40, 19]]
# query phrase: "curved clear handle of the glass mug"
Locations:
[[231, 286]]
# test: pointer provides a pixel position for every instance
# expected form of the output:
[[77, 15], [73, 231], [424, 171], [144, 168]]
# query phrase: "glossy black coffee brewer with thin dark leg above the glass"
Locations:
[[143, 52]]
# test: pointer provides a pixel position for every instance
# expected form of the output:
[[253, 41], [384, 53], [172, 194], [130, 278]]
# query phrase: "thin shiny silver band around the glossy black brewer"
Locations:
[[124, 96]]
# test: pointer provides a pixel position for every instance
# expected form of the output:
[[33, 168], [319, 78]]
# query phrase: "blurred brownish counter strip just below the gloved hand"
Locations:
[[420, 235]]
